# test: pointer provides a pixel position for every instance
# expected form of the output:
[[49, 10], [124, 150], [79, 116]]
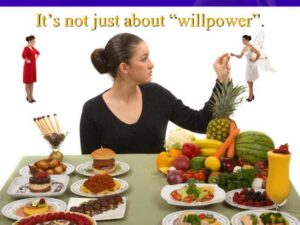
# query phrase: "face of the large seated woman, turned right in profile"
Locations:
[[140, 66]]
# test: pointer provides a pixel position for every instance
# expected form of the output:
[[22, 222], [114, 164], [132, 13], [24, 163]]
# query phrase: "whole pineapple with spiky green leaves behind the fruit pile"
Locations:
[[226, 99]]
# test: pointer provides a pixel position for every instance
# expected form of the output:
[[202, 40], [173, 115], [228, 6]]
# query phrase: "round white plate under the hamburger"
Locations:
[[87, 170]]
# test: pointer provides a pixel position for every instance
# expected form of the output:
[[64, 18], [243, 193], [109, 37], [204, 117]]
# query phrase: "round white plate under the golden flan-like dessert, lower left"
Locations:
[[10, 209]]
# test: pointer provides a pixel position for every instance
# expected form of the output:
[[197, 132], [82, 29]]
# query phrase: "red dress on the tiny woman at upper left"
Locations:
[[29, 72]]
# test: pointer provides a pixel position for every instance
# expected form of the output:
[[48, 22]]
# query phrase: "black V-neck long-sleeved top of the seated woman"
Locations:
[[99, 127]]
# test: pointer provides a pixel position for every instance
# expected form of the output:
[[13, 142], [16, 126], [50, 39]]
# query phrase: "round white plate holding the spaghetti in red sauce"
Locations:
[[75, 188]]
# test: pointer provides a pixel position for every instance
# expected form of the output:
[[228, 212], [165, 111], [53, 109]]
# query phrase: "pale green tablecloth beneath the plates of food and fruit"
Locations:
[[144, 206]]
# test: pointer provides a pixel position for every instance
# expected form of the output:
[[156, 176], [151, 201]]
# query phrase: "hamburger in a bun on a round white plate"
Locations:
[[103, 161]]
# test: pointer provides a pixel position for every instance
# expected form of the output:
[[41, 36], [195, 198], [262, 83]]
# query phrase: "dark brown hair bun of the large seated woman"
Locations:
[[99, 60]]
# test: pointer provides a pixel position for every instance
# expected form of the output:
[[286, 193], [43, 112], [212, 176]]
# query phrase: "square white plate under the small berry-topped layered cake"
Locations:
[[19, 187]]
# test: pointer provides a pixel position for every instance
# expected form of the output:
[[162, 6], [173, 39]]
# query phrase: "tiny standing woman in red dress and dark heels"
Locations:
[[30, 54]]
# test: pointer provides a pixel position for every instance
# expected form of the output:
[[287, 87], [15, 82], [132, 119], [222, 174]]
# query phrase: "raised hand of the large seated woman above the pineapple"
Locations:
[[222, 67]]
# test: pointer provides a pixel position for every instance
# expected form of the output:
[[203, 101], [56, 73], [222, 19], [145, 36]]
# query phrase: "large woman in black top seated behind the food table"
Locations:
[[132, 116]]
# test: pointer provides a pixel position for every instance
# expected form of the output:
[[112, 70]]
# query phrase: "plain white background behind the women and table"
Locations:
[[183, 60]]
